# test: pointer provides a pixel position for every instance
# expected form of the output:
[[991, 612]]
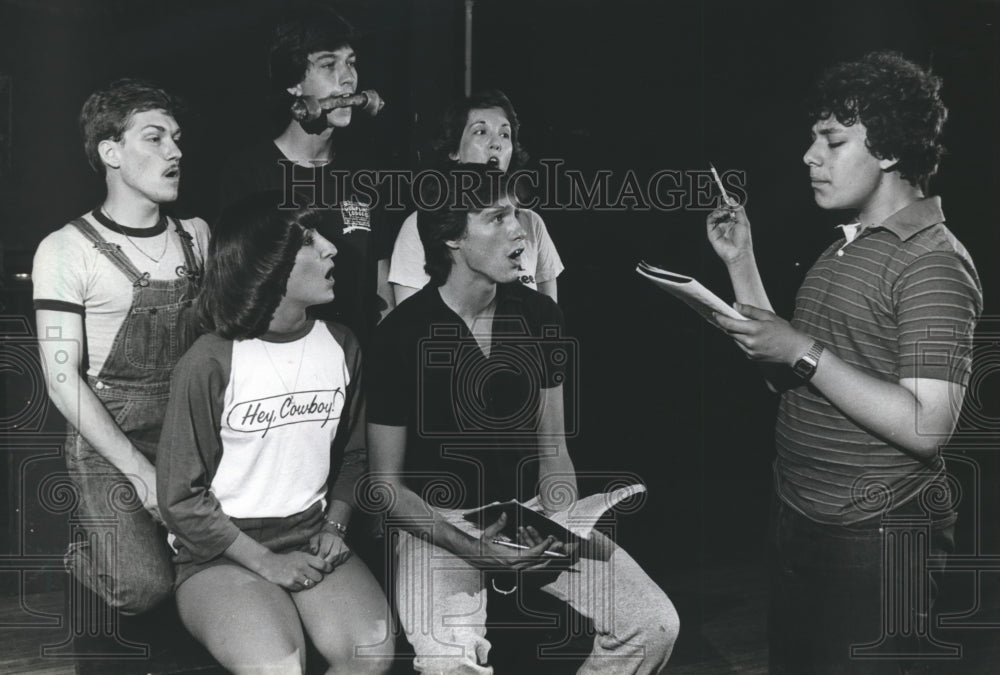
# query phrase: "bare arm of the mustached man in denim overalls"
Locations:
[[71, 394]]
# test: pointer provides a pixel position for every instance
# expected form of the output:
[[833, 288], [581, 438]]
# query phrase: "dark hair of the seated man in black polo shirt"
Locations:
[[444, 207]]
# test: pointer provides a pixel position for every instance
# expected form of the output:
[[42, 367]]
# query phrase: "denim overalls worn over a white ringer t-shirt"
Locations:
[[117, 549]]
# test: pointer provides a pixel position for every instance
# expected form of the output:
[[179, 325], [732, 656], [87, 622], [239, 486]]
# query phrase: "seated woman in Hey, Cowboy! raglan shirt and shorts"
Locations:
[[263, 444]]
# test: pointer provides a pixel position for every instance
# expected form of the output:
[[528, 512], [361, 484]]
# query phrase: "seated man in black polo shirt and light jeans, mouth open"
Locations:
[[465, 406]]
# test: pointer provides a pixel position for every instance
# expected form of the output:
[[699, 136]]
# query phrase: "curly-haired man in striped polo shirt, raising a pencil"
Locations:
[[872, 371]]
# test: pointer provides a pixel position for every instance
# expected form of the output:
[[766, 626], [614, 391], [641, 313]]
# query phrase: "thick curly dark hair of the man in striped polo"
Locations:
[[898, 102]]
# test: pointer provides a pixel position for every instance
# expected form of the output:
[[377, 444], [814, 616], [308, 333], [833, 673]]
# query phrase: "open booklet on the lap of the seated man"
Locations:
[[568, 526]]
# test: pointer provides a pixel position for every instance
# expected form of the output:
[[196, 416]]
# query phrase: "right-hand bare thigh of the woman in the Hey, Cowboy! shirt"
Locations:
[[347, 618]]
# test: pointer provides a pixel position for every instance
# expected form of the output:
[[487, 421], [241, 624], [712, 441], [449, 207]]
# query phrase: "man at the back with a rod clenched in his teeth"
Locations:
[[311, 54]]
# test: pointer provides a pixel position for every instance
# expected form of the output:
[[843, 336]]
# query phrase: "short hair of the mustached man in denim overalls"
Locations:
[[107, 113]]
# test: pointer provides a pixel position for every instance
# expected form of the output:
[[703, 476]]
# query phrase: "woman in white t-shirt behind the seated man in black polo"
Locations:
[[479, 129]]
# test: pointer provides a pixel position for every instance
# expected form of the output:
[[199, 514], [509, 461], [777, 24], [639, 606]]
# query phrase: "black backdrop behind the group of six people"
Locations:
[[599, 84]]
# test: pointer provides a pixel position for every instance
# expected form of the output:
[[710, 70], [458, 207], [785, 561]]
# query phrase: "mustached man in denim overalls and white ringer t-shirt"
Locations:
[[114, 293]]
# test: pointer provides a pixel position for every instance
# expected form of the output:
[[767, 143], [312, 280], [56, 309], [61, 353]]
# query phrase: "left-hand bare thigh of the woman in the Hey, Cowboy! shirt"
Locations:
[[248, 624]]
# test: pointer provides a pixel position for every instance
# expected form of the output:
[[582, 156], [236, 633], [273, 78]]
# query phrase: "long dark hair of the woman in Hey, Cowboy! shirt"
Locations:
[[250, 257]]
